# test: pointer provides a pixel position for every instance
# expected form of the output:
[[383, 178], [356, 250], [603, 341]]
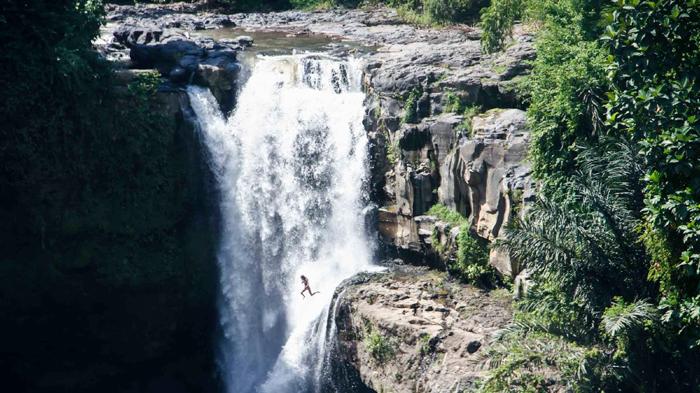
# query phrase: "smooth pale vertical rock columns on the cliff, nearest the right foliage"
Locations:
[[487, 178]]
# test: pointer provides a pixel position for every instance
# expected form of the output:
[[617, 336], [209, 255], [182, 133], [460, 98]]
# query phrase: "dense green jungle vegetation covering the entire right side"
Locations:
[[613, 243]]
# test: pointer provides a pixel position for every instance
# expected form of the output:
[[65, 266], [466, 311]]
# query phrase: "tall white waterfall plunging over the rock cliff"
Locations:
[[291, 163]]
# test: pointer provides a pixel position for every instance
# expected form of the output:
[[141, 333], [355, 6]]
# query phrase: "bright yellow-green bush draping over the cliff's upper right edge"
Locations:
[[568, 76]]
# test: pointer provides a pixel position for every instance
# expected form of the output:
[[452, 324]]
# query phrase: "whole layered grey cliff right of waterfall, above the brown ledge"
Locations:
[[436, 150]]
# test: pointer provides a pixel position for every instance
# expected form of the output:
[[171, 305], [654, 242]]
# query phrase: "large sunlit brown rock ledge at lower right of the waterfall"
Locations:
[[415, 331]]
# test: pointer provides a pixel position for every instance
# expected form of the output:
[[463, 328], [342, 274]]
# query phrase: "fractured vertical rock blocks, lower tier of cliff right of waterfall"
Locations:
[[485, 177]]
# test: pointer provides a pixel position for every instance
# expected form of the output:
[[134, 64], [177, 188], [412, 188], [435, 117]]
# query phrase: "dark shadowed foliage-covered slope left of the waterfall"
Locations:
[[95, 206]]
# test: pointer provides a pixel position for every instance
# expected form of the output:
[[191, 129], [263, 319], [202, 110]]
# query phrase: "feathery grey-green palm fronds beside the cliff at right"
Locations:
[[585, 239]]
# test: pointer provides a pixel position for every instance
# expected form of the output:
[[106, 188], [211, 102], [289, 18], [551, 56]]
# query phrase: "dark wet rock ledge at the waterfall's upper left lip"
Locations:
[[158, 38]]
